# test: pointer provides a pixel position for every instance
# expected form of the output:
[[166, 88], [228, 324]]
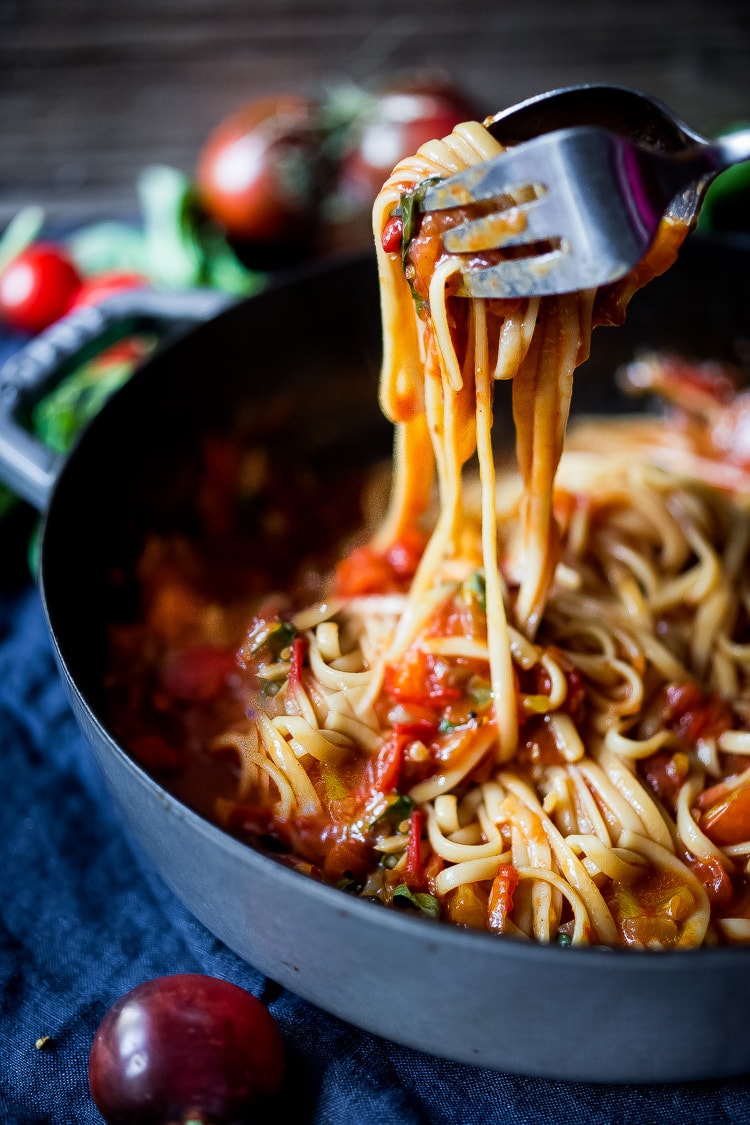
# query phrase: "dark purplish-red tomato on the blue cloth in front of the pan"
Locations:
[[185, 1048]]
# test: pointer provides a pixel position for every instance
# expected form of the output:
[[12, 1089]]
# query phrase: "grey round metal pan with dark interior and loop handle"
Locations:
[[589, 1014]]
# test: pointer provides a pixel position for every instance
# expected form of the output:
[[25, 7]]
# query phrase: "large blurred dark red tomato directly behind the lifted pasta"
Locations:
[[394, 128]]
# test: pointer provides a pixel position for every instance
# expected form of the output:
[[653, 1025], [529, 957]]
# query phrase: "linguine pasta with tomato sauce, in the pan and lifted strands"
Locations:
[[526, 712]]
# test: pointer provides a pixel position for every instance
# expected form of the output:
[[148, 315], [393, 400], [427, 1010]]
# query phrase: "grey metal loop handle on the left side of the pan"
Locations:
[[28, 466]]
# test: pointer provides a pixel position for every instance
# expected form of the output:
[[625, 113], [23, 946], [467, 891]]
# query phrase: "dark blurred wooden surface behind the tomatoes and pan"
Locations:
[[92, 91]]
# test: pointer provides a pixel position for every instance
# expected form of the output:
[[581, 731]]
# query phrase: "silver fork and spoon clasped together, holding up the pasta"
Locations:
[[576, 199]]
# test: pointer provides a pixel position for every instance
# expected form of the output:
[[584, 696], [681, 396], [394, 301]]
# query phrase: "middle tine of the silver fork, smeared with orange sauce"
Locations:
[[514, 227]]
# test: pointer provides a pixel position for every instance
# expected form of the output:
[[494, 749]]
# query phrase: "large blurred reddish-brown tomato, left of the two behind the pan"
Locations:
[[257, 174]]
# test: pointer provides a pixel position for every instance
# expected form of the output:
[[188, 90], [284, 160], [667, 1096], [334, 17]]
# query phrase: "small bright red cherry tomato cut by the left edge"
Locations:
[[38, 287]]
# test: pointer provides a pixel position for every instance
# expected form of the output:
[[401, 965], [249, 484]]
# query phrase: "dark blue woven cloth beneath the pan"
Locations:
[[84, 920]]
